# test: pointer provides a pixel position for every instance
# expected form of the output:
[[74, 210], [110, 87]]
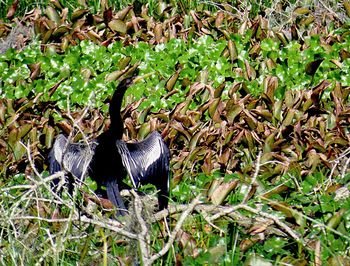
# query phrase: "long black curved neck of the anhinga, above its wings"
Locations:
[[117, 125]]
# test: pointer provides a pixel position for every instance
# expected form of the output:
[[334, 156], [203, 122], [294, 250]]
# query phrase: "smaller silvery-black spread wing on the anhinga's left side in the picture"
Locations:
[[72, 157]]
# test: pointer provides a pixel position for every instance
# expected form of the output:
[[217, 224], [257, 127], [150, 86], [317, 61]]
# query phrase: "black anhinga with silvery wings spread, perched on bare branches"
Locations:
[[108, 159]]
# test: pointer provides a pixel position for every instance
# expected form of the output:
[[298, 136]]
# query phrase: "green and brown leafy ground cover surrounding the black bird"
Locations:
[[256, 116]]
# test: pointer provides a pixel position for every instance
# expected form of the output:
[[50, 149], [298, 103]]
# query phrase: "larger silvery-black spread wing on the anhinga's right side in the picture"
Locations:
[[146, 161]]
